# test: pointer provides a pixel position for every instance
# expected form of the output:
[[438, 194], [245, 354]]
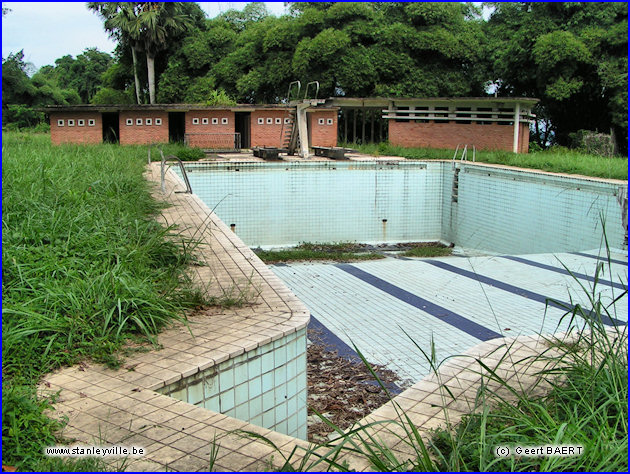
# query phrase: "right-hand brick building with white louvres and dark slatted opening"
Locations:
[[488, 123]]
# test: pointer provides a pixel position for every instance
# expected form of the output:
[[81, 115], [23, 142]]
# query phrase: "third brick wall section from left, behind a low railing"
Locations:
[[210, 128]]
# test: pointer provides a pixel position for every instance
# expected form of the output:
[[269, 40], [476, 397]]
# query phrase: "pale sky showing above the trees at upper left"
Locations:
[[49, 30]]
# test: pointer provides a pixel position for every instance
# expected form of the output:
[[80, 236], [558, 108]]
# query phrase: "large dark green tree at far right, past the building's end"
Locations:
[[573, 56]]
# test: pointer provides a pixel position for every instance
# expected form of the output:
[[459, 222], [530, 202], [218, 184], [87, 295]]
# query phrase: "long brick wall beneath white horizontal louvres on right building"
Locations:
[[449, 135]]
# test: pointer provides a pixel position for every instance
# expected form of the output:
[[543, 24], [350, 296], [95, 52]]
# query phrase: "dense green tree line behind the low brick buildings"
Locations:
[[573, 56]]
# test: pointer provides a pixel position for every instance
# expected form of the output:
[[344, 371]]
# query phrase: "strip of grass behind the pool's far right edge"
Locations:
[[557, 160]]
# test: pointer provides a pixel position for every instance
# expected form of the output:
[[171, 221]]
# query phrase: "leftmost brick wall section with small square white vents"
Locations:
[[75, 127]]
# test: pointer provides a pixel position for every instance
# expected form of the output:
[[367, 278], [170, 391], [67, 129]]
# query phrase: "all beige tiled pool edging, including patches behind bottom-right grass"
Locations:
[[122, 407]]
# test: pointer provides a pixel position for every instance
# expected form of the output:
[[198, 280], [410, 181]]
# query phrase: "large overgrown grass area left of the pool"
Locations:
[[85, 265]]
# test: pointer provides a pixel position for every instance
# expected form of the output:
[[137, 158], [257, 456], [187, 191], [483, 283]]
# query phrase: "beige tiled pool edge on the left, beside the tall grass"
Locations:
[[123, 407]]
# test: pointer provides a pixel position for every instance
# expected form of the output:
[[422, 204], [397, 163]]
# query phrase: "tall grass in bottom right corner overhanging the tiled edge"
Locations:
[[586, 406]]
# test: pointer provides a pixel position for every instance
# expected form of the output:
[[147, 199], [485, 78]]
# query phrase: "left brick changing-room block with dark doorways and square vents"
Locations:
[[225, 128]]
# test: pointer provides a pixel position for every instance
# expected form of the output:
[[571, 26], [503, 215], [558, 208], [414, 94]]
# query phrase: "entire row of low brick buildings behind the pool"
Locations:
[[488, 123]]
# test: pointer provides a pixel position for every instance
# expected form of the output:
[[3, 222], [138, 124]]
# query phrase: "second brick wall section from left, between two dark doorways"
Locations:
[[143, 134]]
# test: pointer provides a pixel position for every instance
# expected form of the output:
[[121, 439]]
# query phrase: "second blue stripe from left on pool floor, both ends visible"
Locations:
[[439, 312]]
